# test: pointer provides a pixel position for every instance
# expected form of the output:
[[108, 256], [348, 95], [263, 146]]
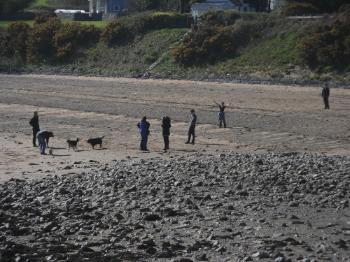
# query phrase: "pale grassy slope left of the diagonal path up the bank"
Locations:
[[130, 60]]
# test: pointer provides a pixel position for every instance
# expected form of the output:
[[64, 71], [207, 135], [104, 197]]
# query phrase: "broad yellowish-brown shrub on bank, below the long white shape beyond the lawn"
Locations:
[[72, 36]]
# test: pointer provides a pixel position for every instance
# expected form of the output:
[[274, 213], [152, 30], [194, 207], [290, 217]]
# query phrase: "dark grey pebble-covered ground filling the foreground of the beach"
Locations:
[[196, 207]]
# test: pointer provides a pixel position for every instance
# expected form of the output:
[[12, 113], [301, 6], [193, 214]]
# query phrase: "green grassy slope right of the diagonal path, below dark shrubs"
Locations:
[[274, 56]]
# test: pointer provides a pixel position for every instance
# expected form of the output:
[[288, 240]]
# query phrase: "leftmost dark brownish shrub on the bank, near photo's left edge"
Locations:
[[17, 37]]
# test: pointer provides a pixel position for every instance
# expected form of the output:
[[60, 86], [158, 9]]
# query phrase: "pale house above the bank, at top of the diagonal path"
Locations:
[[199, 9]]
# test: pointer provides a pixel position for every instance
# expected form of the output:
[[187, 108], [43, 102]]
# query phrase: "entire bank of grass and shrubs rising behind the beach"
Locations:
[[224, 45]]
